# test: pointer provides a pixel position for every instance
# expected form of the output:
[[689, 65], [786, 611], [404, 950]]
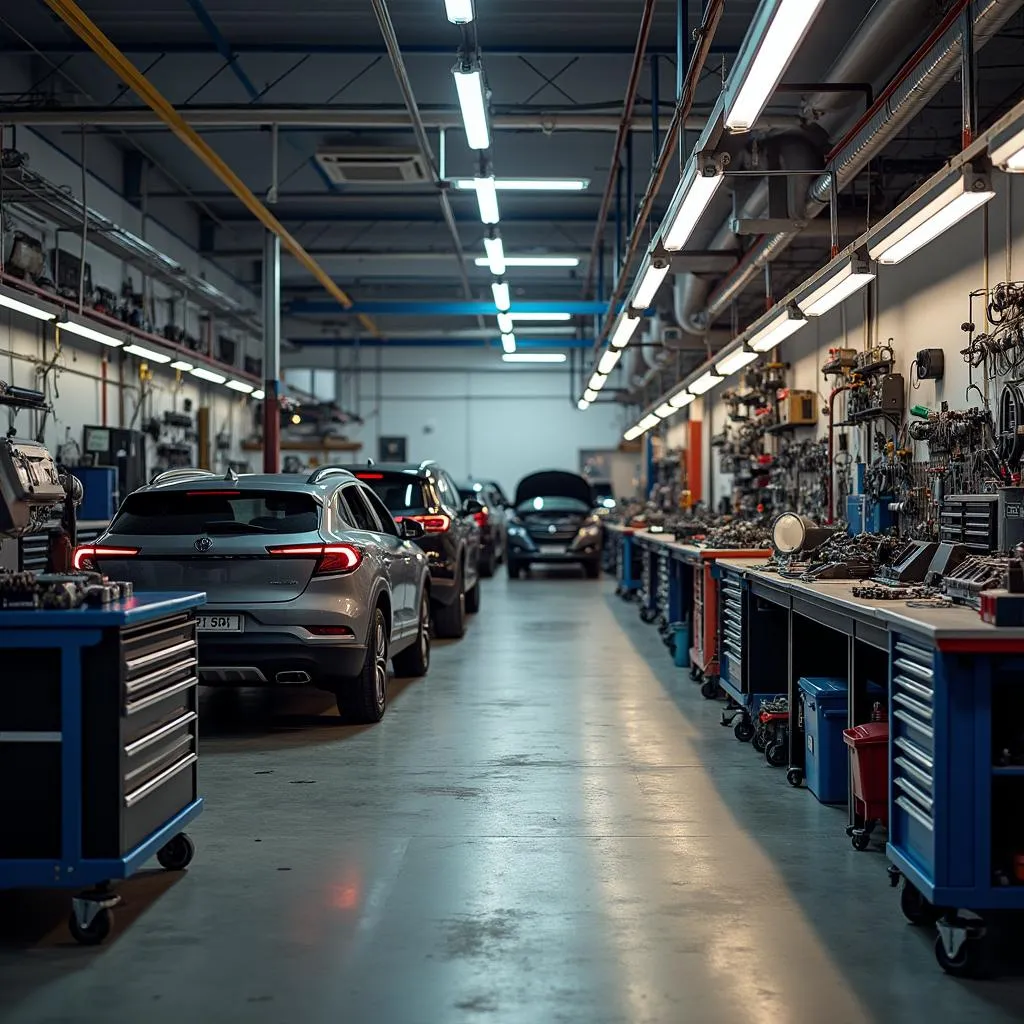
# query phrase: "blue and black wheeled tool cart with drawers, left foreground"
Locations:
[[99, 748]]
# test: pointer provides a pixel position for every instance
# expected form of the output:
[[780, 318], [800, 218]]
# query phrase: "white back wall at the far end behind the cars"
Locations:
[[466, 409]]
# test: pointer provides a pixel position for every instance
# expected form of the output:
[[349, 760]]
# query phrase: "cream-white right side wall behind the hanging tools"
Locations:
[[921, 304]]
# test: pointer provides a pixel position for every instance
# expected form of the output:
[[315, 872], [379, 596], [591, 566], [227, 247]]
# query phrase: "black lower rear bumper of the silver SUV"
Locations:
[[259, 660]]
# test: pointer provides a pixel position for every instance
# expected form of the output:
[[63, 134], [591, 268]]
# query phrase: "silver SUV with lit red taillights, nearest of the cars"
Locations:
[[308, 581]]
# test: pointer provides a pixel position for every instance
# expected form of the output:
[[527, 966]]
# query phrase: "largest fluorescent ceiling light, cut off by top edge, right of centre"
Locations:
[[780, 29]]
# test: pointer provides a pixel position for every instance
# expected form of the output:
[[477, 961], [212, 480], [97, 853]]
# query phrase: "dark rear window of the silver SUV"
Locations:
[[173, 513]]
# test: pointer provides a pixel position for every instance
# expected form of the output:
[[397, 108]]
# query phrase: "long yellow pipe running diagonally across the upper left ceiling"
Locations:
[[90, 33]]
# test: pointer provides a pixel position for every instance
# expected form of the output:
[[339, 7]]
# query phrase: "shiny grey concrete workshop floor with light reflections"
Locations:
[[551, 828]]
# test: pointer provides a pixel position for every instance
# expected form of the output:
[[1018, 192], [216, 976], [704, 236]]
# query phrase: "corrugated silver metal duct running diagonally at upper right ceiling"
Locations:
[[907, 101]]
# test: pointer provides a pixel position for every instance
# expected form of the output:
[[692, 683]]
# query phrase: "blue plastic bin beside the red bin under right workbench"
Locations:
[[826, 762]]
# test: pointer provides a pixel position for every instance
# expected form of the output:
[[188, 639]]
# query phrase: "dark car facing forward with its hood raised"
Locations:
[[553, 522]]
